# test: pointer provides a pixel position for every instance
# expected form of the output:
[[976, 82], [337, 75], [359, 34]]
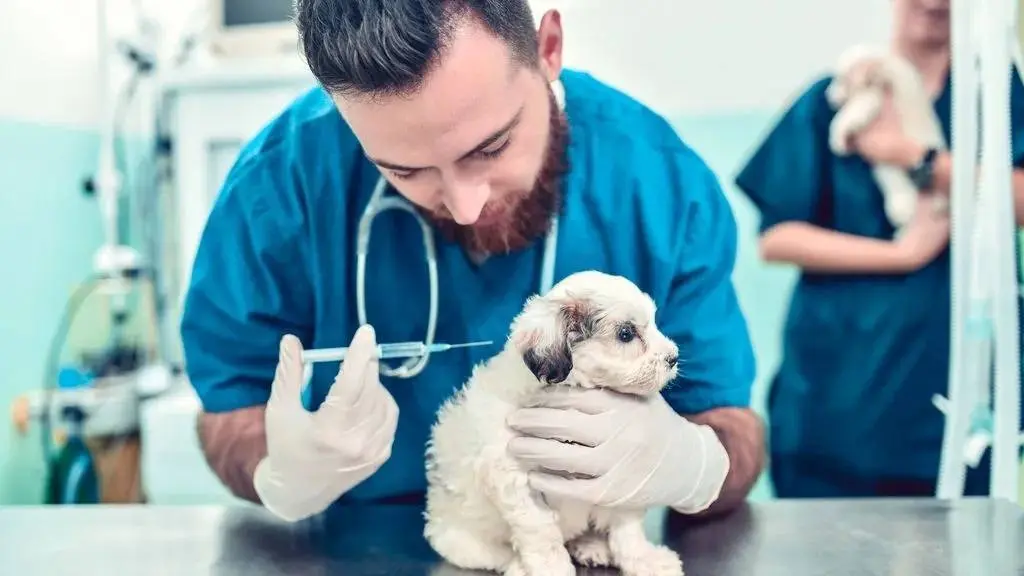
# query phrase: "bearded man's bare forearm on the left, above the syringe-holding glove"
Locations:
[[234, 443]]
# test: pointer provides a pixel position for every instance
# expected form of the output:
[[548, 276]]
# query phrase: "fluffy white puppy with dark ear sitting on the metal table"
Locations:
[[591, 331]]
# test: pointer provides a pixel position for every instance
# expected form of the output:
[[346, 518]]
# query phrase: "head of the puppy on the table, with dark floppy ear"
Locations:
[[595, 331]]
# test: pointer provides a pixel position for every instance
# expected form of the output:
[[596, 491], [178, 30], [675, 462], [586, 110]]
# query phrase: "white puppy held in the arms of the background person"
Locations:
[[859, 90]]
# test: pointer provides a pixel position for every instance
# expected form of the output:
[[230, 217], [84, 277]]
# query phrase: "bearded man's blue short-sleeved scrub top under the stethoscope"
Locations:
[[278, 257]]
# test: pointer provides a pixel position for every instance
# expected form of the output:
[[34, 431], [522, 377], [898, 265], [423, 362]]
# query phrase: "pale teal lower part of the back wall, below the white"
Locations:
[[49, 232]]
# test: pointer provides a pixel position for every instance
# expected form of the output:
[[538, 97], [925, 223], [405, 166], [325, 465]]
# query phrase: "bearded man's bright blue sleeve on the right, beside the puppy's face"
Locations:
[[702, 312]]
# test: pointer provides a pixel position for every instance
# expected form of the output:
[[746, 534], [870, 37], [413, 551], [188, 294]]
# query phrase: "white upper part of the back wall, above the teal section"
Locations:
[[678, 56]]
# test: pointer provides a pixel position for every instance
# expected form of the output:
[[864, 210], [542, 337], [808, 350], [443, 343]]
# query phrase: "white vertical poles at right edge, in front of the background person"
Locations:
[[984, 406]]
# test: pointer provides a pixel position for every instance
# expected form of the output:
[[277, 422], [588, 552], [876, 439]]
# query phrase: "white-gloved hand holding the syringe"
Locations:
[[315, 458]]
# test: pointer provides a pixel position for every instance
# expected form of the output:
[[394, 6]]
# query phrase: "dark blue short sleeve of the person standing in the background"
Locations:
[[784, 177]]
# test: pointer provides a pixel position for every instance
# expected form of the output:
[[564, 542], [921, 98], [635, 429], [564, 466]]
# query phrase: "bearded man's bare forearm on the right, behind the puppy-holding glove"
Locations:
[[743, 436]]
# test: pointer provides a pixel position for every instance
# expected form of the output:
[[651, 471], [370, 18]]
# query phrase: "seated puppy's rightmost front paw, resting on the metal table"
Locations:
[[634, 554]]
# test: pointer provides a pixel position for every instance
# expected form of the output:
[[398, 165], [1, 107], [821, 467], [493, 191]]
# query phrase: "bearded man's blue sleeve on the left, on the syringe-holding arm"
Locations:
[[248, 289]]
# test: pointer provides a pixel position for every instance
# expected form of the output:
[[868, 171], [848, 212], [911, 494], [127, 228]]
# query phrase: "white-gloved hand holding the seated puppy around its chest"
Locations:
[[627, 452]]
